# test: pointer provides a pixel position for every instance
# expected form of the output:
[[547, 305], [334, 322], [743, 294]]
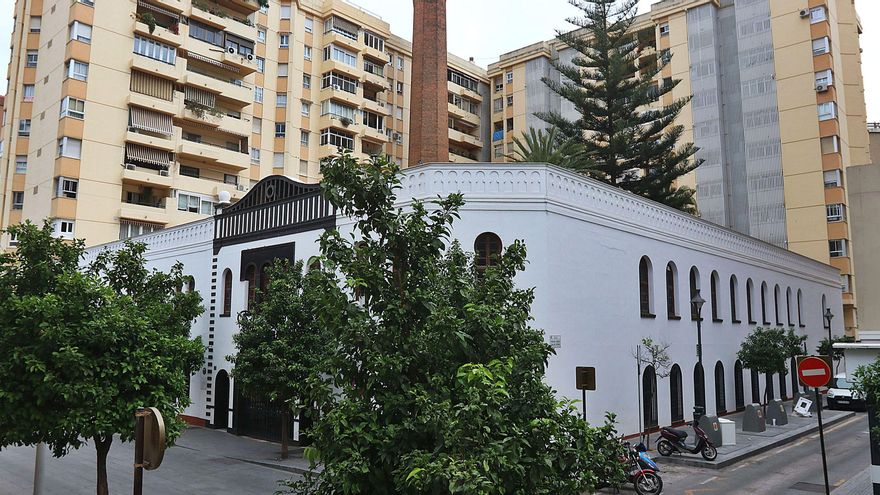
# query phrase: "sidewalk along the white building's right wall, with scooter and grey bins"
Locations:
[[749, 444]]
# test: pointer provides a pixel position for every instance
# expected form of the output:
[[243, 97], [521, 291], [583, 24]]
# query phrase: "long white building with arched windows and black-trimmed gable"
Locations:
[[609, 269]]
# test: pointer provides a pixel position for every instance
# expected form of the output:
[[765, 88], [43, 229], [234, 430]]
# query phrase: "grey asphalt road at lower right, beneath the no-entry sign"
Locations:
[[793, 469]]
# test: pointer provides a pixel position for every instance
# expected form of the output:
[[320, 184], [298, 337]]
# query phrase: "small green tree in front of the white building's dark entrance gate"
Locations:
[[281, 347]]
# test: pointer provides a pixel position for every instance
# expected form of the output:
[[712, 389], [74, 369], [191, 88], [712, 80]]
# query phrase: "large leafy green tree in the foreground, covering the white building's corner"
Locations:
[[436, 378]]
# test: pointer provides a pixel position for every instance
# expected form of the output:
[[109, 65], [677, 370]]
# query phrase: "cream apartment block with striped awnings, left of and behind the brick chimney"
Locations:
[[125, 117]]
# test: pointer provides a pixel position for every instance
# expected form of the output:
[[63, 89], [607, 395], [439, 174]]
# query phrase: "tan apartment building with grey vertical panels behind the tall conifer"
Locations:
[[778, 113]]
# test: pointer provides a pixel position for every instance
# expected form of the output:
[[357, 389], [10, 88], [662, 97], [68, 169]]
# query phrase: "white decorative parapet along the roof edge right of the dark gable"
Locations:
[[600, 203]]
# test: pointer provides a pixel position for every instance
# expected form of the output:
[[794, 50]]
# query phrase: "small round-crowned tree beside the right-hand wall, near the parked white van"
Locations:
[[767, 350]]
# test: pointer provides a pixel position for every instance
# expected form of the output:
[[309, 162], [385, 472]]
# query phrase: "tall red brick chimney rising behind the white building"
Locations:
[[428, 135]]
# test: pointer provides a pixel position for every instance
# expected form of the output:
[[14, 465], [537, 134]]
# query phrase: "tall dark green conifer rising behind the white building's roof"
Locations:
[[615, 90]]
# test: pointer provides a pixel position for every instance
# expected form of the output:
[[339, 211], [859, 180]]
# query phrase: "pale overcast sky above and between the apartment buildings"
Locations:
[[484, 29]]
